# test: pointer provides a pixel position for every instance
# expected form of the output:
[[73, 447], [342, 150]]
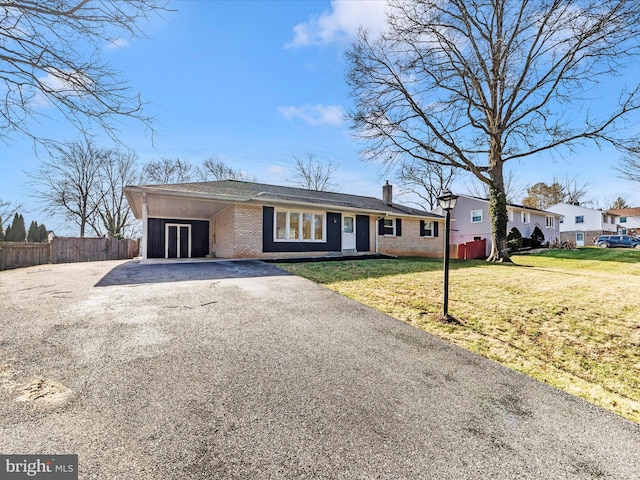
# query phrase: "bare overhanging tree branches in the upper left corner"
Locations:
[[50, 54]]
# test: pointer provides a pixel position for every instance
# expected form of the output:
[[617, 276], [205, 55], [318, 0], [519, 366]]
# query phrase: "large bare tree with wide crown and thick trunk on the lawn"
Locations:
[[474, 85]]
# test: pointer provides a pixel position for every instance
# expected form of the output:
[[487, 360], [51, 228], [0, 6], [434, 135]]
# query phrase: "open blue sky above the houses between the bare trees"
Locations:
[[255, 83]]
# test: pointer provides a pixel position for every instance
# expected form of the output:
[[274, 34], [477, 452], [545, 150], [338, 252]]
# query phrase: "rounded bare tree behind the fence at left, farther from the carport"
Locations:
[[70, 182]]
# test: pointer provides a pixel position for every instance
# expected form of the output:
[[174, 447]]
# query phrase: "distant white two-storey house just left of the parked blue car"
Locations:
[[582, 225]]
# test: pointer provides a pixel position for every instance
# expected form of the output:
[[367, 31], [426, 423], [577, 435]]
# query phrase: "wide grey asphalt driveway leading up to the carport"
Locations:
[[238, 370]]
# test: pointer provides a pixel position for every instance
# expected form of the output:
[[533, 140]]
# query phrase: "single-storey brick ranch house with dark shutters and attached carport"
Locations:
[[233, 219]]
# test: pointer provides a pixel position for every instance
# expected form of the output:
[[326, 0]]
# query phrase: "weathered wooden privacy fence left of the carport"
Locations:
[[65, 250]]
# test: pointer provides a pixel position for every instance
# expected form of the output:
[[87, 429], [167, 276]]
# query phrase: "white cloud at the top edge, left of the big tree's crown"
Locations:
[[342, 23]]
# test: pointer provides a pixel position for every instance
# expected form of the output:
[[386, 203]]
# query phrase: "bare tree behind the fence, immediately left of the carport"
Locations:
[[113, 216]]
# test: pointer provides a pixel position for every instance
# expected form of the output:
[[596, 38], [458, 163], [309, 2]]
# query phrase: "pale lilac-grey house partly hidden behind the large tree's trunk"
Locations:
[[471, 221]]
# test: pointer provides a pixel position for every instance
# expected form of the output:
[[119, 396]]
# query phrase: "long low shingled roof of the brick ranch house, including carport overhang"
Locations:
[[225, 192]]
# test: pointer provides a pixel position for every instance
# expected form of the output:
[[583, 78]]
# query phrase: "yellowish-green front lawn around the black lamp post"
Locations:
[[569, 318]]
